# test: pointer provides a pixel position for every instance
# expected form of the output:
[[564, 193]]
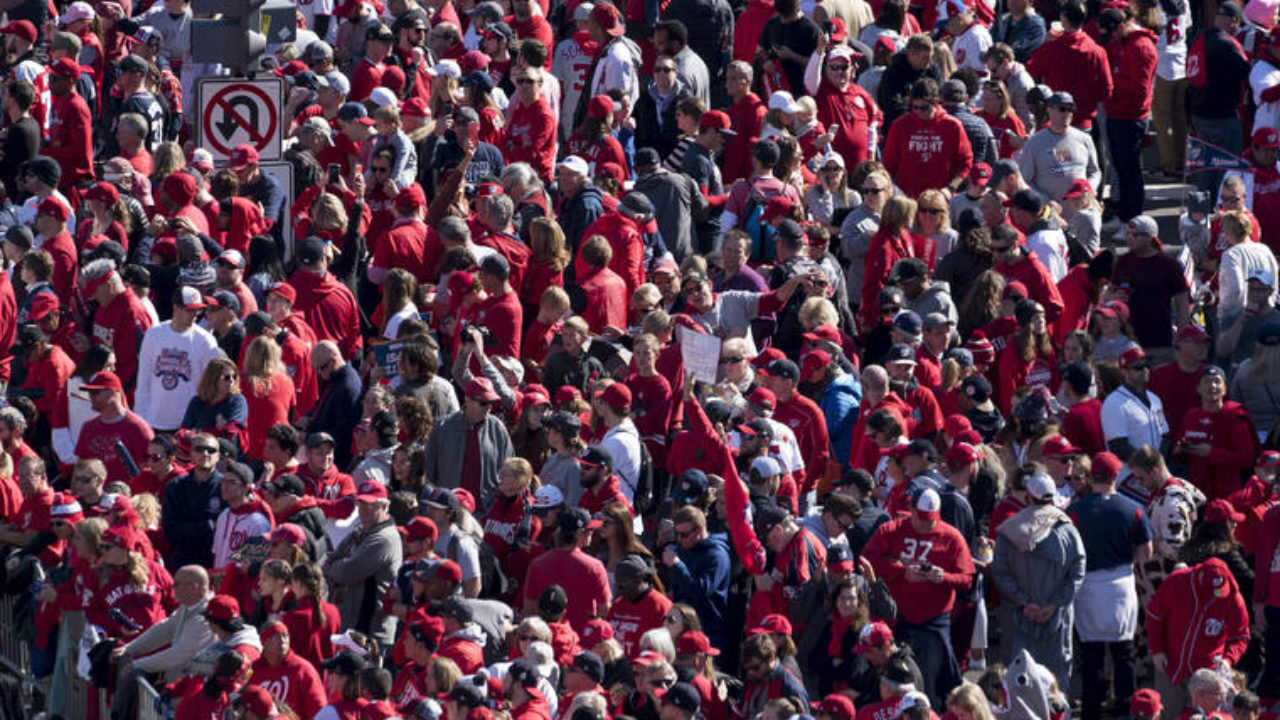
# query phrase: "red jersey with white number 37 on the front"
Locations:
[[897, 545]]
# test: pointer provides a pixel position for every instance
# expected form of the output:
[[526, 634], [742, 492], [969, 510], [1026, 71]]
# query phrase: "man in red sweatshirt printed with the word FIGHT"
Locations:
[[929, 148]]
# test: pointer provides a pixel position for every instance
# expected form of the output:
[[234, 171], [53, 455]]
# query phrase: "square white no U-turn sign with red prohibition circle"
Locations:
[[237, 112]]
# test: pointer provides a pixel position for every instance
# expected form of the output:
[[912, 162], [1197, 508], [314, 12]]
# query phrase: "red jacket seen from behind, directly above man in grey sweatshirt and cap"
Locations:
[[1075, 63]]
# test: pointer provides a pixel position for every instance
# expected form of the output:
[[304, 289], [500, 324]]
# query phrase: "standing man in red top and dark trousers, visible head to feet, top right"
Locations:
[[1132, 52]]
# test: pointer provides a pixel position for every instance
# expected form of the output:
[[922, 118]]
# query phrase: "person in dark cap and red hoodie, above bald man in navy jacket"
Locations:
[[327, 304]]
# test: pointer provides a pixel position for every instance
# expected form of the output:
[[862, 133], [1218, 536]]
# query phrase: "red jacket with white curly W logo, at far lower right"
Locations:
[[1192, 627]]
